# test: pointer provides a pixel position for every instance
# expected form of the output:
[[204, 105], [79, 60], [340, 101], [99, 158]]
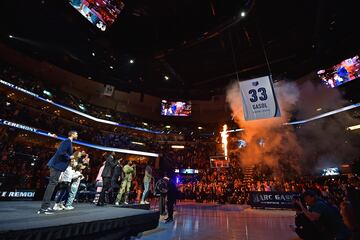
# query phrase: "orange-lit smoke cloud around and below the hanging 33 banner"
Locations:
[[268, 141]]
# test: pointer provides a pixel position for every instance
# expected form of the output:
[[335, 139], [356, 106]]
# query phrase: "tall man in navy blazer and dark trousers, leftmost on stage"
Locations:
[[57, 164]]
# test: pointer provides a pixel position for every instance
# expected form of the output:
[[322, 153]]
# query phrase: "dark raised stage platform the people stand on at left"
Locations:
[[19, 220]]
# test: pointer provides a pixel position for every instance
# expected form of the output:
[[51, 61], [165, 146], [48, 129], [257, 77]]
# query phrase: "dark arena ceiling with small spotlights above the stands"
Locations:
[[185, 49]]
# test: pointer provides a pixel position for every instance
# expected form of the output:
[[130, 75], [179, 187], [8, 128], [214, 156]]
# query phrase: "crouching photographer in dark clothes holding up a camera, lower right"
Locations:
[[327, 219]]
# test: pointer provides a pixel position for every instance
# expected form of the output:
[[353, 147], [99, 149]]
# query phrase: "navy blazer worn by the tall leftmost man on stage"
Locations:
[[60, 161]]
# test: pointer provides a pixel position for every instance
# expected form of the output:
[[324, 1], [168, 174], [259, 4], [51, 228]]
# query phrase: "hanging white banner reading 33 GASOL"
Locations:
[[259, 100]]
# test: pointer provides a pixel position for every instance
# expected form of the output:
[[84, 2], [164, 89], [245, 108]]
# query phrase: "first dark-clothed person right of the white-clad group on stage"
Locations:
[[106, 176]]
